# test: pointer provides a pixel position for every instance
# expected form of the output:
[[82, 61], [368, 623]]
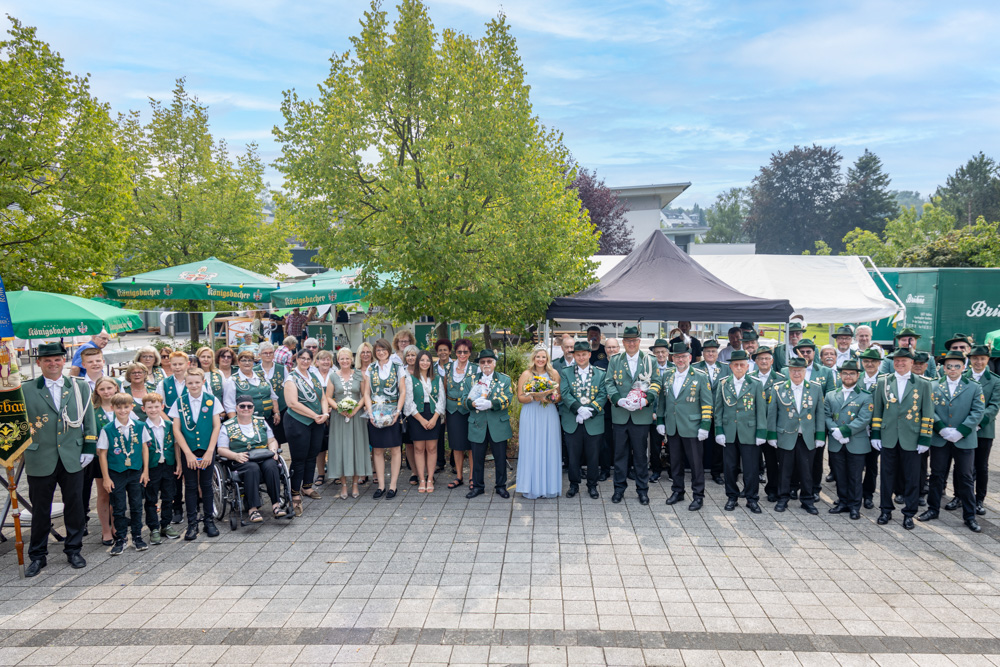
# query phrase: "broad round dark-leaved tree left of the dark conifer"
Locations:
[[792, 200]]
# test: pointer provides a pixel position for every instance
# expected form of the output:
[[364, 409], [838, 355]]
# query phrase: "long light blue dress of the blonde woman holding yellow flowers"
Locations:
[[539, 458]]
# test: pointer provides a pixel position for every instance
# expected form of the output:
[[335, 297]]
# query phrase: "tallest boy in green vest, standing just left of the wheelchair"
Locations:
[[196, 424]]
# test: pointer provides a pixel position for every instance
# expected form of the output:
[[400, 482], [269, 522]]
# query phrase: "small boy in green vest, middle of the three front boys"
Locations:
[[163, 471]]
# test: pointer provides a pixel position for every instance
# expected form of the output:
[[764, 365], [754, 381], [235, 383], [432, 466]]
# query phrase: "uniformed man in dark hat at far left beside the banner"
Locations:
[[64, 440]]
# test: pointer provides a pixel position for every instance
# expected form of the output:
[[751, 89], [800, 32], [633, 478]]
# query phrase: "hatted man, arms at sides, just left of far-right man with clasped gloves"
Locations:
[[902, 423]]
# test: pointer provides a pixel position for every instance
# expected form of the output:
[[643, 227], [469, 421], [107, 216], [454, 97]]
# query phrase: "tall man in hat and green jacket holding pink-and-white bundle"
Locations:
[[631, 420]]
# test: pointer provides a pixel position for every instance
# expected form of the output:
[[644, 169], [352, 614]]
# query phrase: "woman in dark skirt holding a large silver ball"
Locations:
[[384, 394]]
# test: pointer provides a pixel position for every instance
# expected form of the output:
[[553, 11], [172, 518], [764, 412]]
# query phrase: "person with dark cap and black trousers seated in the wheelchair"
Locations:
[[241, 441]]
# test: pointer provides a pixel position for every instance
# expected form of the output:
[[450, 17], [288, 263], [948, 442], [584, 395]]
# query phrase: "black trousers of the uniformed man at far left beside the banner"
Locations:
[[41, 489]]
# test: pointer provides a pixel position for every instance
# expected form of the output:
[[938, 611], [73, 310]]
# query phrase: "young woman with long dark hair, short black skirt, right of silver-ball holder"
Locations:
[[424, 411]]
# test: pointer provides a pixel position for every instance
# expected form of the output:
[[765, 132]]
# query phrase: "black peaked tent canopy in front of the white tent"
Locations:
[[660, 282]]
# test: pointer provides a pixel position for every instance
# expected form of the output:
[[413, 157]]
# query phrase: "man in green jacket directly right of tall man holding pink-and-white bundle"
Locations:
[[685, 415]]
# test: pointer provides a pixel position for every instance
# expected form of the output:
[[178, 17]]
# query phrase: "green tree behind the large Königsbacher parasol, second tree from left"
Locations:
[[192, 199]]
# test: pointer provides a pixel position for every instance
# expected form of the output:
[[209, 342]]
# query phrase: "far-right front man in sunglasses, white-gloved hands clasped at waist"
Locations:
[[959, 406]]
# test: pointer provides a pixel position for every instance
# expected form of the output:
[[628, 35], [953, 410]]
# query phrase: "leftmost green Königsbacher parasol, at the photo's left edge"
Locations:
[[48, 315]]
